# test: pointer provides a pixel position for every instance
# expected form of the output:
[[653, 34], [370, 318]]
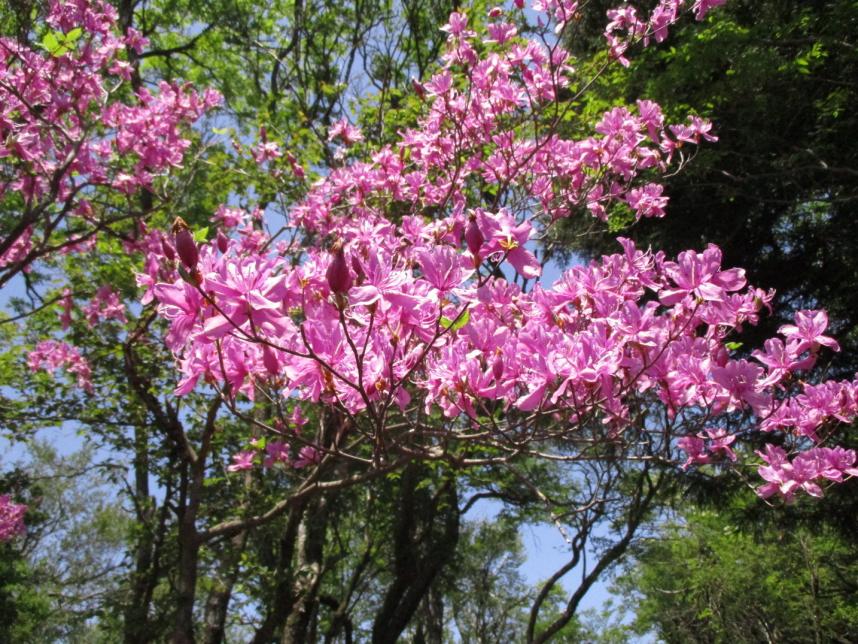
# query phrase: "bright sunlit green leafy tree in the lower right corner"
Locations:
[[707, 579]]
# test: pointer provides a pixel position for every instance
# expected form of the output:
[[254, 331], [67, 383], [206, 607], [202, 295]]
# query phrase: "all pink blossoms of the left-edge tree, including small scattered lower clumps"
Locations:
[[74, 139]]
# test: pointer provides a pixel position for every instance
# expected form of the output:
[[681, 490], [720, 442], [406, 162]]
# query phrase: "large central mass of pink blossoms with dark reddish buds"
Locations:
[[404, 313]]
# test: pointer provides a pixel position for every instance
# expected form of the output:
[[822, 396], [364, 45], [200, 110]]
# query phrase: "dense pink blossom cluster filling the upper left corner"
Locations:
[[65, 133]]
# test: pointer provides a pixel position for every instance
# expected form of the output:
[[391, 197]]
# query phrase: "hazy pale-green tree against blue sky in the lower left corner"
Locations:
[[60, 581]]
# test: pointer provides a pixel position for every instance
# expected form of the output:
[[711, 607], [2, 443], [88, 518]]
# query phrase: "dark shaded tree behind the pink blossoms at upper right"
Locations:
[[779, 189]]
